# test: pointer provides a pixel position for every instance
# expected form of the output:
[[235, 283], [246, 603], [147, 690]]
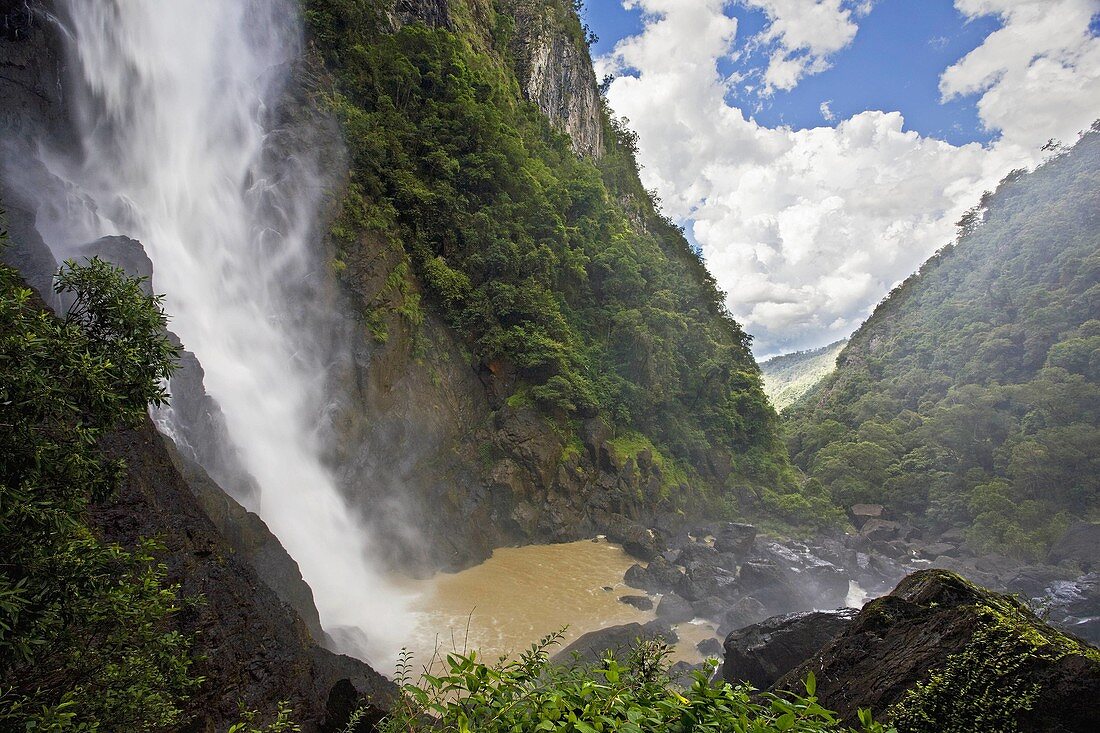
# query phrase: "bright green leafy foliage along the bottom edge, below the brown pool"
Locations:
[[635, 696]]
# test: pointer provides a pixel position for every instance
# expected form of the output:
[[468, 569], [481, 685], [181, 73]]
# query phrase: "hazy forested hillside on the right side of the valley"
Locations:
[[971, 397]]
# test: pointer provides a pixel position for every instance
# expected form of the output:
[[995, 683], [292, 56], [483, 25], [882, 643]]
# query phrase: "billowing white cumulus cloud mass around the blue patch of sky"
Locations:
[[807, 231]]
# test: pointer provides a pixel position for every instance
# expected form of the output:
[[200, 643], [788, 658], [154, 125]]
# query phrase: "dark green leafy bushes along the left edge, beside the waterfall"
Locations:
[[85, 640]]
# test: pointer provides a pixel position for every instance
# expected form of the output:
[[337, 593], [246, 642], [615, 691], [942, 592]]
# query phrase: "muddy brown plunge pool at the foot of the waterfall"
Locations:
[[503, 606]]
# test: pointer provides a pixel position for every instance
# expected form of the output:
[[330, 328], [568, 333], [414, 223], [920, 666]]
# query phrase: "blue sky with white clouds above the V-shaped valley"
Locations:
[[819, 151]]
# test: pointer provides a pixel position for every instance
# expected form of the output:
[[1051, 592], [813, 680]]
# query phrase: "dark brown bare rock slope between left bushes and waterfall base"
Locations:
[[251, 648]]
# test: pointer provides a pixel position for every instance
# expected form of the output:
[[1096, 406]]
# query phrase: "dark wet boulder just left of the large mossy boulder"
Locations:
[[763, 653]]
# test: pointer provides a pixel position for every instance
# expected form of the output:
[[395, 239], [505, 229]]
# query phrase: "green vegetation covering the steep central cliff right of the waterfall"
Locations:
[[554, 268]]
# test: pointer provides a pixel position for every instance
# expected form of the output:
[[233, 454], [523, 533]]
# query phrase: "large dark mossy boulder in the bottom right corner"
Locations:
[[940, 654]]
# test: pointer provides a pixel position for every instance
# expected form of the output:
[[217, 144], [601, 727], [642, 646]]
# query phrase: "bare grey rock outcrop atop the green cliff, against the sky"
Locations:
[[556, 72]]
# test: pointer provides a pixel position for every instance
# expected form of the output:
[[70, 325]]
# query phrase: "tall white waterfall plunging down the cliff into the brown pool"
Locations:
[[172, 105]]
